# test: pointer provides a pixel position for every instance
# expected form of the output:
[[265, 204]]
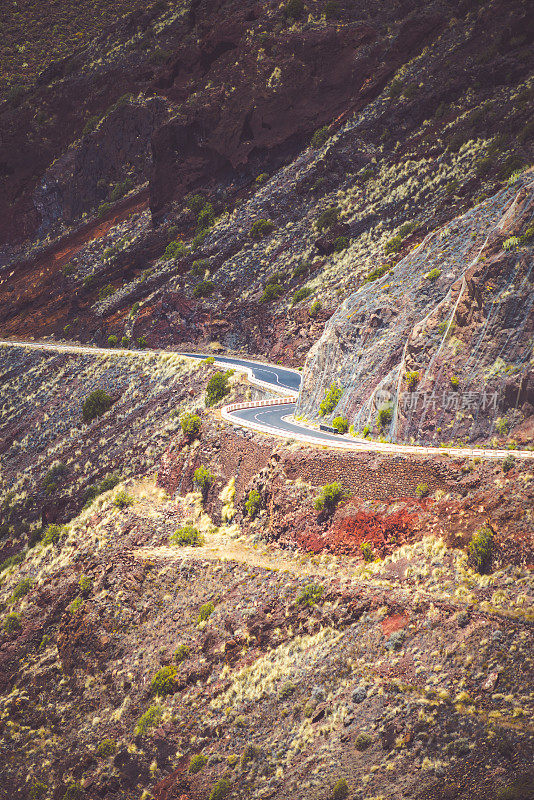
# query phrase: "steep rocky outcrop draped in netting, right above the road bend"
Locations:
[[443, 339]]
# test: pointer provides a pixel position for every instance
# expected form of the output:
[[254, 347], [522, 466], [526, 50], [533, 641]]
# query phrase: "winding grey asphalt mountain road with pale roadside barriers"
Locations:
[[273, 416]]
